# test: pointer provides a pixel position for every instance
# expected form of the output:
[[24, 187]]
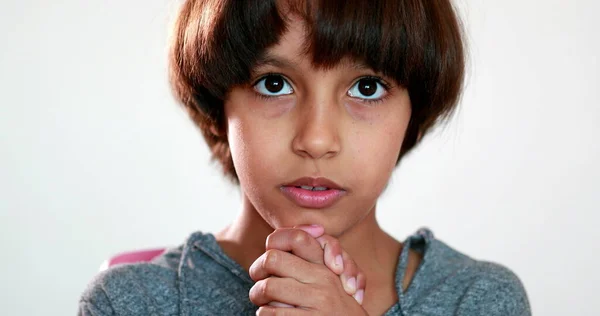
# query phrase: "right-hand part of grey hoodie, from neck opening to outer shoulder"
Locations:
[[453, 281]]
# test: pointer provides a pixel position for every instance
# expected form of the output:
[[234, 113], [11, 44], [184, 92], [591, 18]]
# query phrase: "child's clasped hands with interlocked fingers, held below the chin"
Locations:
[[302, 268]]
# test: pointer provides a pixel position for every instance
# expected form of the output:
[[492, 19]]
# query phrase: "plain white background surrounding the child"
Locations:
[[97, 158]]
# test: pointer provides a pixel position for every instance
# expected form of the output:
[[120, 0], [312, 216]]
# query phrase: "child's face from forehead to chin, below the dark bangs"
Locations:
[[294, 121]]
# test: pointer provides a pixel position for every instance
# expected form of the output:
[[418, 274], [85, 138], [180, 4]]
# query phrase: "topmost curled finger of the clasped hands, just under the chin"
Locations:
[[297, 241]]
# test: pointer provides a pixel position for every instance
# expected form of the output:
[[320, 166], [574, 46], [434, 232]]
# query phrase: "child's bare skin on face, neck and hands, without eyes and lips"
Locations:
[[318, 130]]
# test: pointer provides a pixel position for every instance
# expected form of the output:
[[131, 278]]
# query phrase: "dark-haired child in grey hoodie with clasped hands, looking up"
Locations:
[[309, 106]]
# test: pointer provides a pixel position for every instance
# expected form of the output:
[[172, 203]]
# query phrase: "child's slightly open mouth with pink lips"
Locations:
[[315, 193]]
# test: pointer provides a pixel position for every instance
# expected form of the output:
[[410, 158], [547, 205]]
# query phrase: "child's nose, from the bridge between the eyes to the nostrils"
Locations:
[[317, 130]]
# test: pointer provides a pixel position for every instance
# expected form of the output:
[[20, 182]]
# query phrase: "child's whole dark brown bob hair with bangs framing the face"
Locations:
[[216, 43]]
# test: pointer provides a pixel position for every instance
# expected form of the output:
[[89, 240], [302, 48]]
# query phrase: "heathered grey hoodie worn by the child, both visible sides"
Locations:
[[198, 278]]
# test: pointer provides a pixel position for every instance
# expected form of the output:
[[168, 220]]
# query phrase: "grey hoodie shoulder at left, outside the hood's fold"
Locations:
[[134, 289]]
